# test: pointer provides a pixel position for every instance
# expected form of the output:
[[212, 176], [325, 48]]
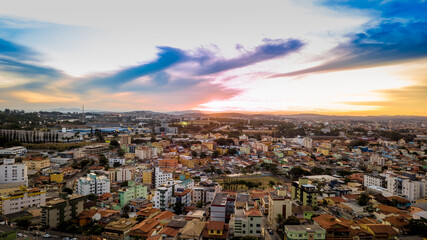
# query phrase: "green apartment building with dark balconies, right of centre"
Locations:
[[304, 193]]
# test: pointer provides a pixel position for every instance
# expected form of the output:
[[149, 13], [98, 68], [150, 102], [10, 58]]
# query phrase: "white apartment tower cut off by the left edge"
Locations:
[[13, 174]]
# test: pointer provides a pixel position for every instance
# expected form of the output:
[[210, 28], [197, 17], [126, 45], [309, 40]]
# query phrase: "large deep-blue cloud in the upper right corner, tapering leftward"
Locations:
[[391, 40]]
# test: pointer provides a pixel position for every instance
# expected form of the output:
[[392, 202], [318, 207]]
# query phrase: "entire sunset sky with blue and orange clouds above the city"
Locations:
[[346, 57]]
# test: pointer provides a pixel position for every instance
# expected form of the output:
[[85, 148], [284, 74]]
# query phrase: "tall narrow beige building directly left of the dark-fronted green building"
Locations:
[[279, 203]]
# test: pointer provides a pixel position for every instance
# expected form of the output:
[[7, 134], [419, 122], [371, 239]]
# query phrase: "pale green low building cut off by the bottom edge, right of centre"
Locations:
[[300, 232]]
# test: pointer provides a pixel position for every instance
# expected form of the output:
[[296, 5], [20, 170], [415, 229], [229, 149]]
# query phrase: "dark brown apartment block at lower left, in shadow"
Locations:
[[57, 211]]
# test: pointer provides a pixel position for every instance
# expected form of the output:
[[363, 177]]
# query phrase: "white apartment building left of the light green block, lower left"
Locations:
[[93, 184]]
